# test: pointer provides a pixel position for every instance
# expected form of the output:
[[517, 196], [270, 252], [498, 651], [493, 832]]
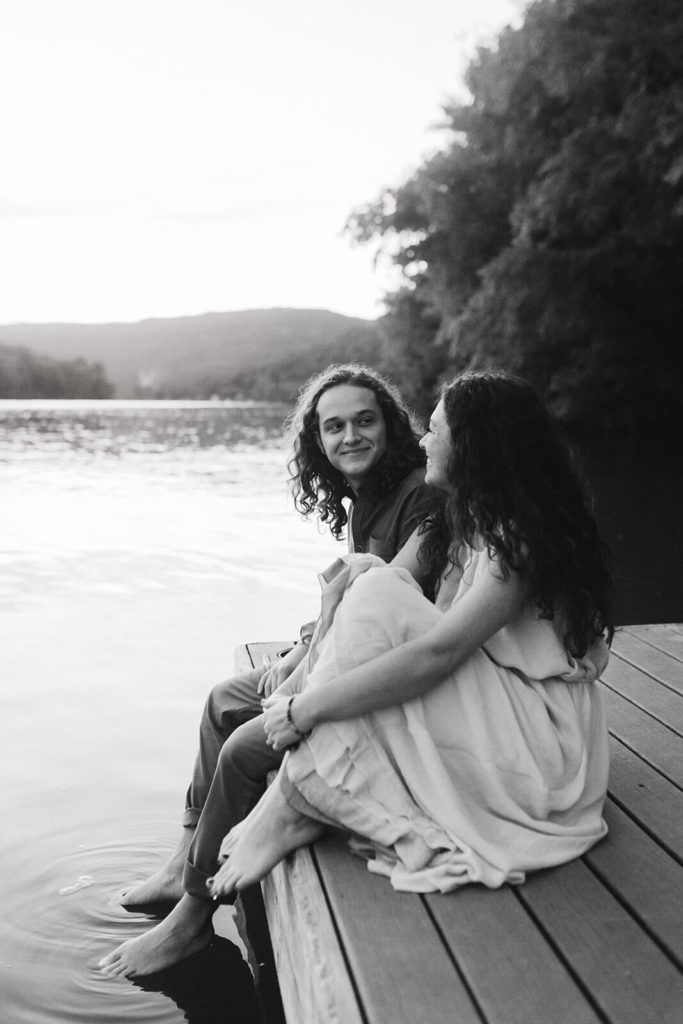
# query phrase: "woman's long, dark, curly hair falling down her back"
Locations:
[[516, 487]]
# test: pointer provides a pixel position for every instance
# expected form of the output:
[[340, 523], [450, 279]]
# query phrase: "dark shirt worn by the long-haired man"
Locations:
[[383, 528]]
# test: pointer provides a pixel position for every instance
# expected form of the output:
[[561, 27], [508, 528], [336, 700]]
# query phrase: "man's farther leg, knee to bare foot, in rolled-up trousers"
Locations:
[[230, 705]]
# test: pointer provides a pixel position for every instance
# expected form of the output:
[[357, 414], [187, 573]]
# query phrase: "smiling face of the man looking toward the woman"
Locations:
[[353, 432]]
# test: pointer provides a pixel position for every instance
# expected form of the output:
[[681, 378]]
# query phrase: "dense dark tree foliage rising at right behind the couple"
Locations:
[[547, 236]]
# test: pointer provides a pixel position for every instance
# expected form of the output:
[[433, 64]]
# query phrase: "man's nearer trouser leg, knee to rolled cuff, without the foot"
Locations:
[[239, 781]]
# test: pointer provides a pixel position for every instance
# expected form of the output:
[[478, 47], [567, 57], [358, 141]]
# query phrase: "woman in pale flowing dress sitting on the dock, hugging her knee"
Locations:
[[466, 742]]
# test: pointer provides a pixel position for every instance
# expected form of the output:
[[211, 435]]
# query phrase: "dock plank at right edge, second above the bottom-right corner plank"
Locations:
[[649, 798]]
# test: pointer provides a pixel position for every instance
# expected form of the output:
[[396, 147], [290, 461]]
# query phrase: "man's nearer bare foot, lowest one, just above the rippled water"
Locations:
[[186, 931]]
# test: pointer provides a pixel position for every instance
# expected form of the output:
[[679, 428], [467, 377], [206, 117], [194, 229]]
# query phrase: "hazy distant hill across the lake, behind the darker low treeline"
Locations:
[[262, 354]]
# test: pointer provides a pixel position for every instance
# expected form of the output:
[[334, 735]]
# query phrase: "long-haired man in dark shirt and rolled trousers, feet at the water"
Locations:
[[353, 439]]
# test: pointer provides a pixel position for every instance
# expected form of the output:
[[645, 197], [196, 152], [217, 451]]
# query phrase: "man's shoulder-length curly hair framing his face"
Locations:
[[317, 486]]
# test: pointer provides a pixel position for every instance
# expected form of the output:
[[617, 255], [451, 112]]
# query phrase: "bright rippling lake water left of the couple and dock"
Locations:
[[140, 544]]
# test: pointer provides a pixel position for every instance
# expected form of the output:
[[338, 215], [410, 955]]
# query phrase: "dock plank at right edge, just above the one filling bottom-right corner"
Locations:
[[644, 877]]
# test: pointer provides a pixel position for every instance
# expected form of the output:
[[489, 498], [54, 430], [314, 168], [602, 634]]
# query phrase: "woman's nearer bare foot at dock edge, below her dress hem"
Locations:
[[265, 841]]
